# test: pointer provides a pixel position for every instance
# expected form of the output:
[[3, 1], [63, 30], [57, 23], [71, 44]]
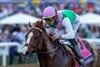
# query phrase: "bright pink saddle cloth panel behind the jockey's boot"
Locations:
[[87, 55]]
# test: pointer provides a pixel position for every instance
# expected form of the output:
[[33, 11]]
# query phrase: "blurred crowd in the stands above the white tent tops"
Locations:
[[36, 9]]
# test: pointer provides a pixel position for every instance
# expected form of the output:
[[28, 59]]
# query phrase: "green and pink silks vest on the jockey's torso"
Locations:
[[60, 17]]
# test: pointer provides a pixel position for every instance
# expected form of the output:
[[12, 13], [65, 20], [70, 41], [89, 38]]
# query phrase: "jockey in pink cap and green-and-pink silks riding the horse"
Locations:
[[64, 24]]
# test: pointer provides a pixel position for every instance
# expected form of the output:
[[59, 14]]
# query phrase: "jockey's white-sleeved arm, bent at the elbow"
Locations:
[[68, 29]]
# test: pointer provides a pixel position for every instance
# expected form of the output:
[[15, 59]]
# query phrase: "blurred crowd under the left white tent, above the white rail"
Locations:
[[9, 32]]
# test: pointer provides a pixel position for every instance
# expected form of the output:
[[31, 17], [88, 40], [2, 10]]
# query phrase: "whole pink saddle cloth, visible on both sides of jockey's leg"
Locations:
[[87, 55]]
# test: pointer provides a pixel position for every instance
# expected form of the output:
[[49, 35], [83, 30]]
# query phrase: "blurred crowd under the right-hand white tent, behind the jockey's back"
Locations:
[[88, 31]]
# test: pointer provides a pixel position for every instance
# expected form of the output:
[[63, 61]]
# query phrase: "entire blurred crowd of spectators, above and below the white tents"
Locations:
[[16, 33]]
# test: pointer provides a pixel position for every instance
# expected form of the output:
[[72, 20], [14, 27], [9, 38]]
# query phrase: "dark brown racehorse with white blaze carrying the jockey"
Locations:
[[50, 54]]
